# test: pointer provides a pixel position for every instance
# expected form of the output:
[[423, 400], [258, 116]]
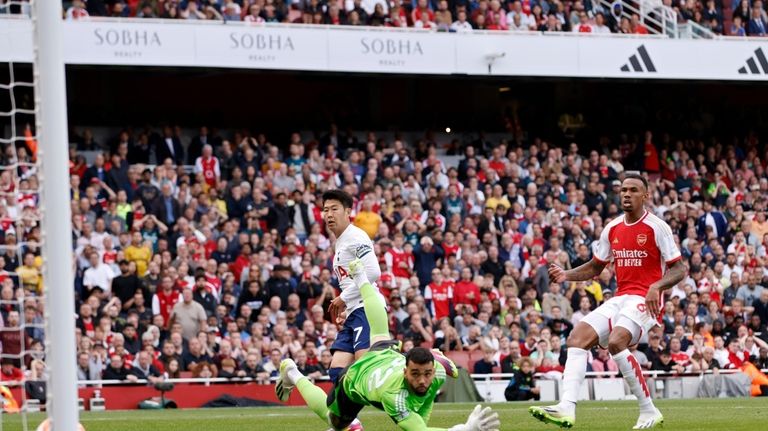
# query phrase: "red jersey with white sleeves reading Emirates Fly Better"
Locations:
[[641, 252]]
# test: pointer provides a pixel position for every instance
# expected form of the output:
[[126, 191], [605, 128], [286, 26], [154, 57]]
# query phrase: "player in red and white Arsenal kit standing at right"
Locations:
[[647, 262]]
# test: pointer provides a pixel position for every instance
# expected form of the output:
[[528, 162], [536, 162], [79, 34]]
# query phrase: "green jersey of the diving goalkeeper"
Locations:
[[377, 379]]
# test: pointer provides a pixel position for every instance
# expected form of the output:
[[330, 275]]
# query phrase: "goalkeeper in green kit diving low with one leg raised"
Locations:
[[403, 386]]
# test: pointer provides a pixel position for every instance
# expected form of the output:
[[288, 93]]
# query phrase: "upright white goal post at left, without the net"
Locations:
[[51, 120]]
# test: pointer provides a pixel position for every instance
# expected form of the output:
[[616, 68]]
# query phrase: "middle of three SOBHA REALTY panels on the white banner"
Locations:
[[261, 47]]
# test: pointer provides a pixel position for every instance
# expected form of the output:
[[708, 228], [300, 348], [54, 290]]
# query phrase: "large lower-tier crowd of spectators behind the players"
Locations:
[[222, 268]]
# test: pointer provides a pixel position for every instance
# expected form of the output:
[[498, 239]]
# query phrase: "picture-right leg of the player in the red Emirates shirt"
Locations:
[[627, 332]]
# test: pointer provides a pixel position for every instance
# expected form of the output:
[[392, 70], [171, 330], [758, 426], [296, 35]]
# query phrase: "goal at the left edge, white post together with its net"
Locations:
[[37, 359]]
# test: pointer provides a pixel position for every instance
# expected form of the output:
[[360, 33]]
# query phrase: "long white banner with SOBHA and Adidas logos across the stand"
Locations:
[[377, 50]]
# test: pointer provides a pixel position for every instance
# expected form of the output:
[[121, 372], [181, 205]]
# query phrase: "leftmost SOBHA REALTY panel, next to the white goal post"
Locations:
[[113, 43]]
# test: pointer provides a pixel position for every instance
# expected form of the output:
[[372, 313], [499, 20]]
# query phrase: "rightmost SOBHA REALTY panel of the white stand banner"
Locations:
[[383, 51]]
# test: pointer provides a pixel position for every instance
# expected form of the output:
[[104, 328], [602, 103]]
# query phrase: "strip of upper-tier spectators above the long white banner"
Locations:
[[584, 16]]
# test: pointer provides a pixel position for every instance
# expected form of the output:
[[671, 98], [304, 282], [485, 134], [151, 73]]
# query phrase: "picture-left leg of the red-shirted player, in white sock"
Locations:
[[594, 329]]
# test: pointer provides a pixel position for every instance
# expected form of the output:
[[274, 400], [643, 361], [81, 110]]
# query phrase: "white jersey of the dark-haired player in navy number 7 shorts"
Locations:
[[353, 244]]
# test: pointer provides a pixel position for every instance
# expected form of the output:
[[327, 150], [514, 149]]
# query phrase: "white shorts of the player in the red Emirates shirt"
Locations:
[[627, 311]]
